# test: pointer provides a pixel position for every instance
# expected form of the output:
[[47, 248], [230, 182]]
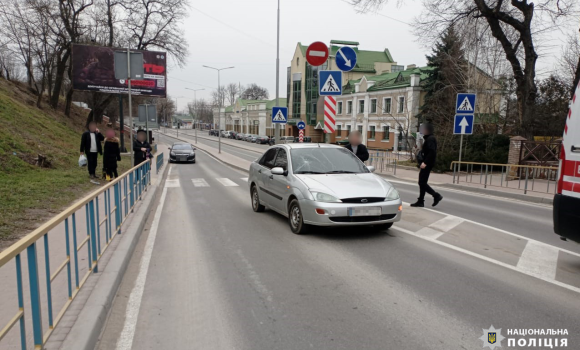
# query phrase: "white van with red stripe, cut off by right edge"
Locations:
[[567, 199]]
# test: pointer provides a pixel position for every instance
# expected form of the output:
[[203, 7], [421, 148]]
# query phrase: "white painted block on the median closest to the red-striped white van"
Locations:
[[539, 259]]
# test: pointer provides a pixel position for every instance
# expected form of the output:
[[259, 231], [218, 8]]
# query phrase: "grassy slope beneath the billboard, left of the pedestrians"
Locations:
[[29, 194]]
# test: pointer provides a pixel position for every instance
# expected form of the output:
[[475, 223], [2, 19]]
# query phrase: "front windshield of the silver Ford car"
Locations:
[[325, 161]]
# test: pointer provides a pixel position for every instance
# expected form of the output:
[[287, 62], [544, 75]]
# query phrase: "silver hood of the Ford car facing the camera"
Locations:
[[347, 185]]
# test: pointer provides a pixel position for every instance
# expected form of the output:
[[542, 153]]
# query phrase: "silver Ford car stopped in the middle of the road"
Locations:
[[321, 185]]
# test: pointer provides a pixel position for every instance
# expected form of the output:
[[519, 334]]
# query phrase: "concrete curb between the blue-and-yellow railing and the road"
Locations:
[[87, 329]]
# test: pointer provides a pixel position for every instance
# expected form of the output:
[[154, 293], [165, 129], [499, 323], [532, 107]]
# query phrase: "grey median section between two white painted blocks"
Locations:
[[484, 241]]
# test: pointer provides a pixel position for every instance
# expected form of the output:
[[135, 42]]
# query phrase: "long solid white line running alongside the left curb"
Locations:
[[125, 341]]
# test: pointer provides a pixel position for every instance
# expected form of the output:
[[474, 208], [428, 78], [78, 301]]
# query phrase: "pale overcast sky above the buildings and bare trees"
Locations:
[[224, 33]]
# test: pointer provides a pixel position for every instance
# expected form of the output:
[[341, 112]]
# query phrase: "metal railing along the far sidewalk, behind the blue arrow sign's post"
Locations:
[[533, 178]]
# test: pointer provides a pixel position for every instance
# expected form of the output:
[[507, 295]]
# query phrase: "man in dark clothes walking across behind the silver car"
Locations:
[[429, 153]]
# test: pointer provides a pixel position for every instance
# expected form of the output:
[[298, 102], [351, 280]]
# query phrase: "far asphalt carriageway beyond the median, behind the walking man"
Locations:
[[523, 218]]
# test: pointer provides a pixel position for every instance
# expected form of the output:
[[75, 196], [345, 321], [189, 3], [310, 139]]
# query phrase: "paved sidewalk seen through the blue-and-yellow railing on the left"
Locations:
[[56, 239]]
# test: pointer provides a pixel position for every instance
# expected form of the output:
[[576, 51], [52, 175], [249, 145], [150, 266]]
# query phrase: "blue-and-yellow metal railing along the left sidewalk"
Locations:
[[117, 205]]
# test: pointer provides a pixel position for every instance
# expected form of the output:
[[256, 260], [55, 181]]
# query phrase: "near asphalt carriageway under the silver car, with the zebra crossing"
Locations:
[[219, 276]]
